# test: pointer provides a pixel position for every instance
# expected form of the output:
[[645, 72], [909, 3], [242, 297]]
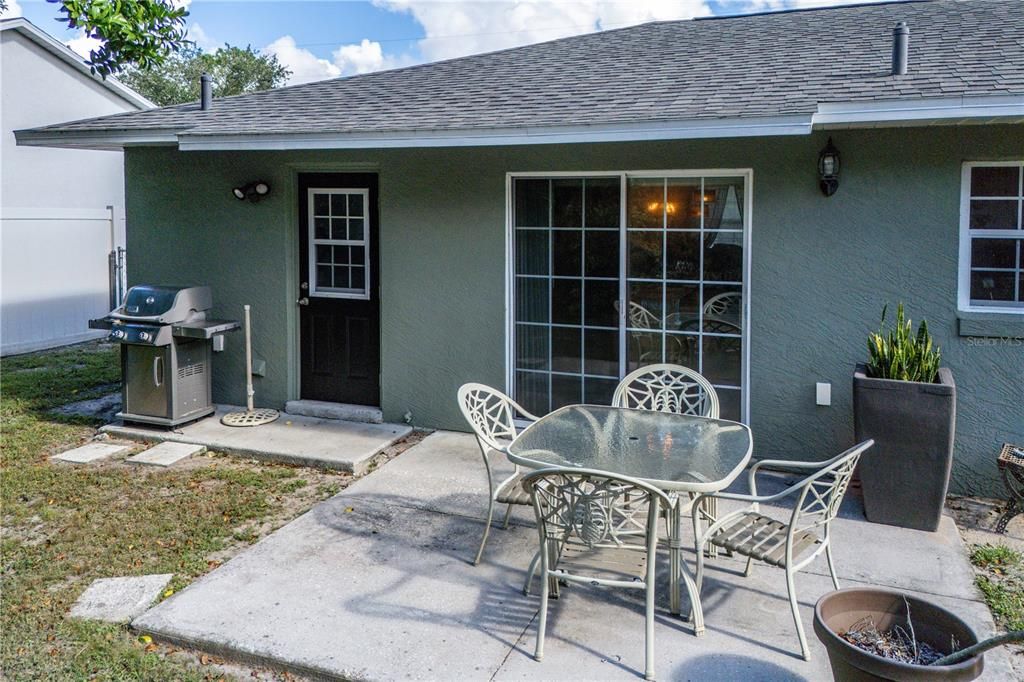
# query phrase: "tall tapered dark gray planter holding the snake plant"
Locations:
[[906, 477]]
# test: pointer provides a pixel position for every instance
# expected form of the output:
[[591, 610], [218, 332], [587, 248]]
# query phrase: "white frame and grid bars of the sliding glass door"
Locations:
[[624, 280]]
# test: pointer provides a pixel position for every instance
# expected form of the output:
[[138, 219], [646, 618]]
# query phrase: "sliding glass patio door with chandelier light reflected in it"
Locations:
[[615, 272]]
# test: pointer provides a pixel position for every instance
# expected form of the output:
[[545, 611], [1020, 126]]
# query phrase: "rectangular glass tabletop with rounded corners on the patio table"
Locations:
[[674, 453]]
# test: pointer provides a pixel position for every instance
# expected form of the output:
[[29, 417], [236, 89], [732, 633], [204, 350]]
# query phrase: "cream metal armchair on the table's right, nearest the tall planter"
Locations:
[[791, 546]]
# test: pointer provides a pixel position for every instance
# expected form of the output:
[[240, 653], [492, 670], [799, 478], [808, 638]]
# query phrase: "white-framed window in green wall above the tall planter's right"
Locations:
[[992, 245]]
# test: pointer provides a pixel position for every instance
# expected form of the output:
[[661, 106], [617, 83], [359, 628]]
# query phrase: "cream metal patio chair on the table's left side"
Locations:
[[492, 416]]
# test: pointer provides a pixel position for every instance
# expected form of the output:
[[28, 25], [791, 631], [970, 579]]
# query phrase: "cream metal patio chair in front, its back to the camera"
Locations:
[[601, 530]]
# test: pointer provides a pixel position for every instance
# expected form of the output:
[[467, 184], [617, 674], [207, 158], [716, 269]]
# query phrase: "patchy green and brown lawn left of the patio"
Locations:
[[64, 526]]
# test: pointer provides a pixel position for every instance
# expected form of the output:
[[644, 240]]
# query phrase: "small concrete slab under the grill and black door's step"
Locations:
[[305, 441]]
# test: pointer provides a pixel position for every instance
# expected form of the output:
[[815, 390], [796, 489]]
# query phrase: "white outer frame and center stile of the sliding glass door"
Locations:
[[746, 174]]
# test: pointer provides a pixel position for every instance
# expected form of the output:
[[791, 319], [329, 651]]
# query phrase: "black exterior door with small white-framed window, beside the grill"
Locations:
[[339, 301]]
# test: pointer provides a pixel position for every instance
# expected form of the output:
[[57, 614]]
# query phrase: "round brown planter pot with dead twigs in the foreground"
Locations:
[[838, 612]]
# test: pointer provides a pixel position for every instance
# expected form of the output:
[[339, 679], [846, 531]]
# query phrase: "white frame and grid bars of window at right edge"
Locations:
[[968, 237]]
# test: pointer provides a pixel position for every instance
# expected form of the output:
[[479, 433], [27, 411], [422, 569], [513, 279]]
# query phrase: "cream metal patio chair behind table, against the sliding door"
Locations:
[[671, 389]]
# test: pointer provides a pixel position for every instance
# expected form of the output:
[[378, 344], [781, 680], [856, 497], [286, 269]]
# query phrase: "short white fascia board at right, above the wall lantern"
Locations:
[[932, 110]]
